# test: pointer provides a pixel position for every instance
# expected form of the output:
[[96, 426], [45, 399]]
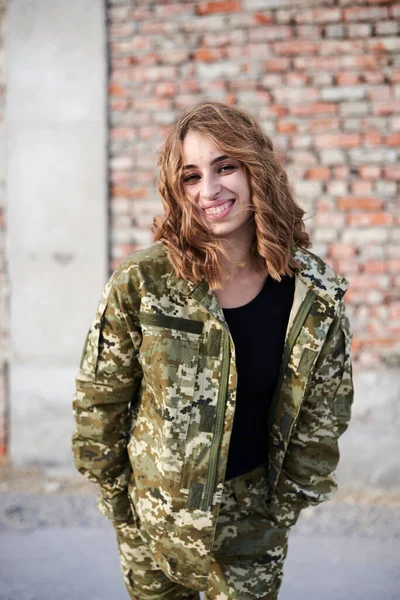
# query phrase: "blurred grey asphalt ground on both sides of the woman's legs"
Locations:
[[55, 545]]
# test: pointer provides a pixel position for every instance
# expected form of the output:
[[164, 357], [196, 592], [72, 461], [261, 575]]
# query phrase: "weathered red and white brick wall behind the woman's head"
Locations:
[[324, 81]]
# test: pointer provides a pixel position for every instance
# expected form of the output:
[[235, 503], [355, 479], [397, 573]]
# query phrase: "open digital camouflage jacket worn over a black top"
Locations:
[[155, 403]]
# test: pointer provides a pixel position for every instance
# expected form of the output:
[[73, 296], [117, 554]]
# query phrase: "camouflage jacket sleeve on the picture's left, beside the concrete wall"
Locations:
[[106, 388]]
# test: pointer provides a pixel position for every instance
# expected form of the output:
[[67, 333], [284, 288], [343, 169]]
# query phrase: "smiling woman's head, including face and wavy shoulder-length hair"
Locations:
[[212, 144]]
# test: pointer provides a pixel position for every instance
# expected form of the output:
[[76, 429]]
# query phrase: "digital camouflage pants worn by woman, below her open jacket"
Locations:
[[248, 553]]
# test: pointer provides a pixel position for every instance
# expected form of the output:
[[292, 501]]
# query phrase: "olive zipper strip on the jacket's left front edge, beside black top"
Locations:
[[219, 429]]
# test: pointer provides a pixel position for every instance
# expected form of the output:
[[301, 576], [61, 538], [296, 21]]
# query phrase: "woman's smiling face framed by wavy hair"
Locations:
[[219, 186]]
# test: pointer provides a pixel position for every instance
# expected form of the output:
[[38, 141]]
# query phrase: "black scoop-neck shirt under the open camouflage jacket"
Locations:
[[258, 331]]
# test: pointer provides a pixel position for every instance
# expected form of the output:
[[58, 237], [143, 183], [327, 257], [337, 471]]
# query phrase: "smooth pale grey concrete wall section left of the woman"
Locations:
[[57, 213]]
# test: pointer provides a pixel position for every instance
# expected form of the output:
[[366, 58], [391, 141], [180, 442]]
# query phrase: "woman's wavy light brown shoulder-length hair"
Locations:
[[191, 247]]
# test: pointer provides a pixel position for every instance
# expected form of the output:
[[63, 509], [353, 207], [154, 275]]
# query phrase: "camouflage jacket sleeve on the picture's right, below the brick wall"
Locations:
[[312, 455]]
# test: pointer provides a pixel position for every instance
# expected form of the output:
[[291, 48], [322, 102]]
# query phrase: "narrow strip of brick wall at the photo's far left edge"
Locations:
[[3, 269]]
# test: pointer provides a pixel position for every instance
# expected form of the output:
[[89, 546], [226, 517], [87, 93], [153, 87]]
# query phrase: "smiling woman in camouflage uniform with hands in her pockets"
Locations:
[[216, 378]]
